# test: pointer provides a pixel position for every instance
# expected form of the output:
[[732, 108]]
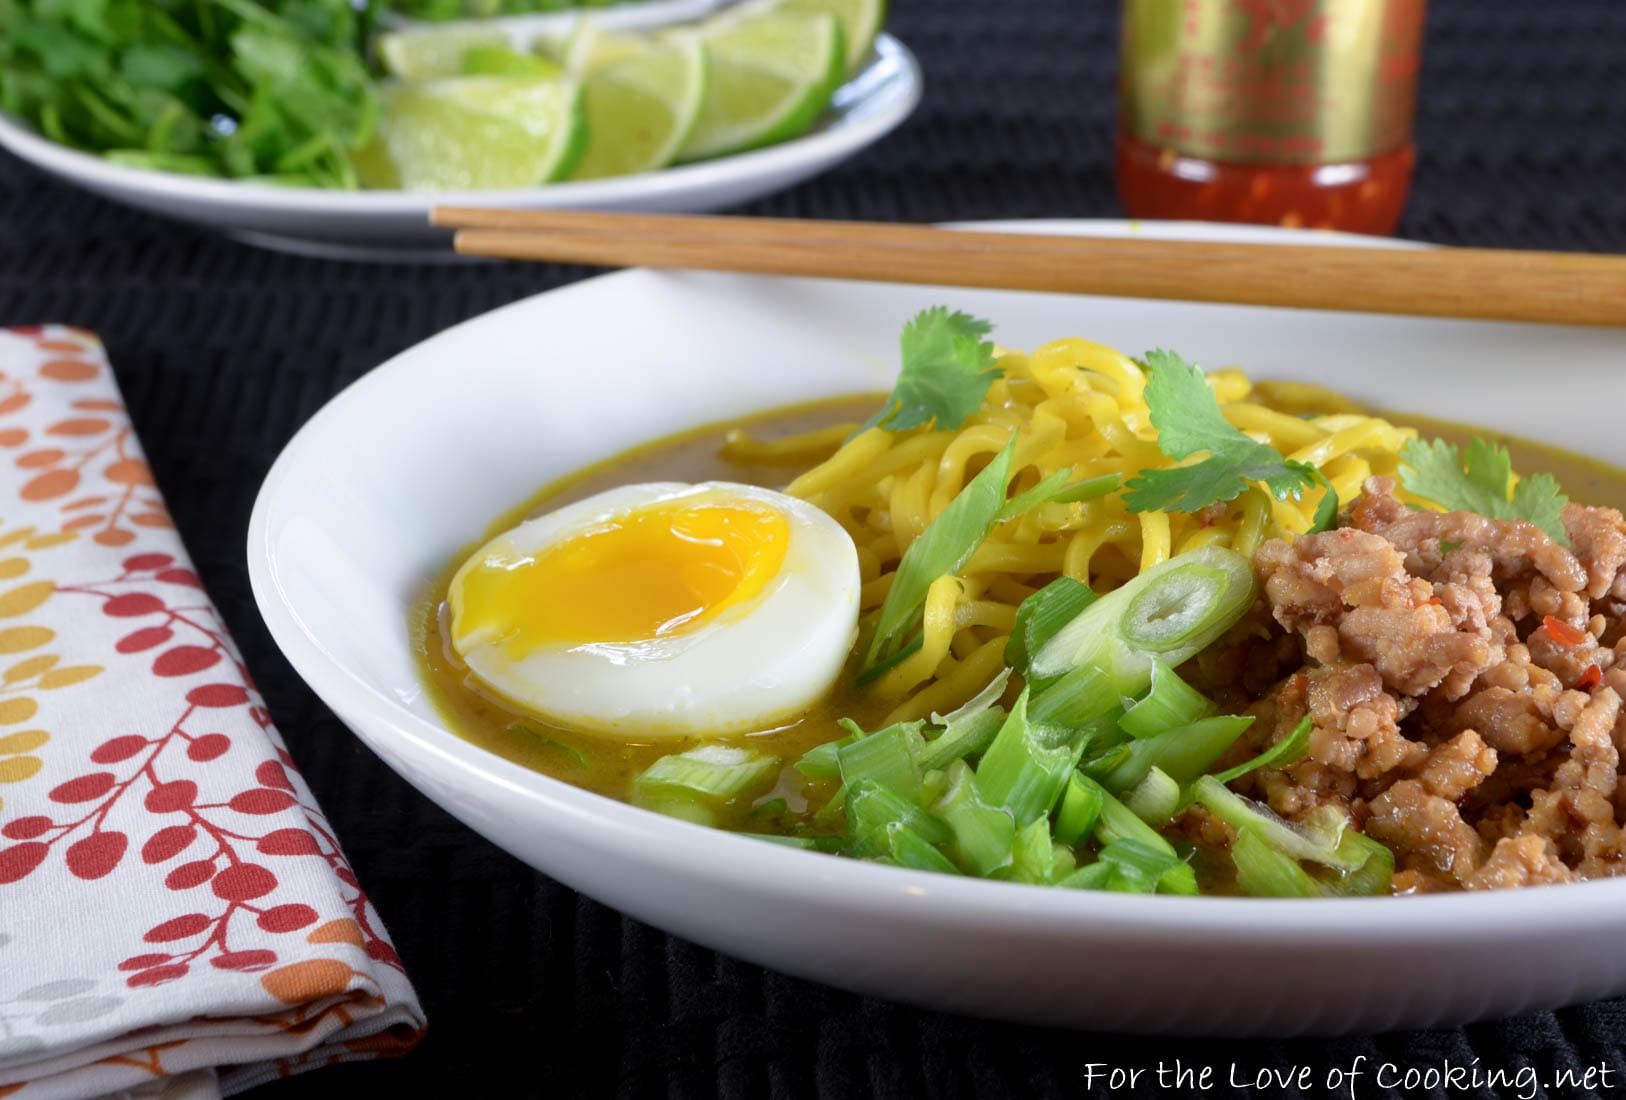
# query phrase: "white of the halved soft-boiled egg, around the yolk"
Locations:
[[754, 667]]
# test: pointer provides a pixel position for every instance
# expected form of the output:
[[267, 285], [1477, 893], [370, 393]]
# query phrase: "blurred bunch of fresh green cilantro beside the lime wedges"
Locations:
[[269, 90]]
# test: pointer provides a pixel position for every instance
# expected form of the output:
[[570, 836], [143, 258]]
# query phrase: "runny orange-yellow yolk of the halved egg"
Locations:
[[651, 573]]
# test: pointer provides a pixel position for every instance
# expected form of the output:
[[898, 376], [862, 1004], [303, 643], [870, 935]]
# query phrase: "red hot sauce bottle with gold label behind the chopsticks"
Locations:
[[1292, 113]]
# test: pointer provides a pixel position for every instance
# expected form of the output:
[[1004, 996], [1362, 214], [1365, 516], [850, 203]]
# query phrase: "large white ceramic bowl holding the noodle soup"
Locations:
[[386, 483]]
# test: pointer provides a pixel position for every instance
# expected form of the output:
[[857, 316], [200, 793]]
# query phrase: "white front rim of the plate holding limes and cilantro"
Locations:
[[897, 67]]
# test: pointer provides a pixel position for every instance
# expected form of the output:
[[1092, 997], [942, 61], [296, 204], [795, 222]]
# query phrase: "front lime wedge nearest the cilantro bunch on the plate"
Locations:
[[476, 134]]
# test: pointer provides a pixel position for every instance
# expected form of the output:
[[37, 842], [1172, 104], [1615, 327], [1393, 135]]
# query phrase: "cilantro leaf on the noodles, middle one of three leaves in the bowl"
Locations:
[[1189, 422]]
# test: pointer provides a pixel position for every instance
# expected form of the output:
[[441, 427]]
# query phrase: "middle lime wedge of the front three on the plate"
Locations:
[[641, 111]]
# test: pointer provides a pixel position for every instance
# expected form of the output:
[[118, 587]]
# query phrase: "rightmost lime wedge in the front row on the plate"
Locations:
[[772, 77]]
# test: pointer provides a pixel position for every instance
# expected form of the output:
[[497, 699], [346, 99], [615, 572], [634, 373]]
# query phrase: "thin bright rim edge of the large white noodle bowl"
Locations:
[[916, 894]]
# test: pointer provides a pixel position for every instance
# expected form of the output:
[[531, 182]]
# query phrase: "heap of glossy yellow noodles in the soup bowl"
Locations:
[[1079, 405]]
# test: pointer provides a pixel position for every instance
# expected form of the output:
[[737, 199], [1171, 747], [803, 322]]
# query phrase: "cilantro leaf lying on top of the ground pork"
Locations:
[[1477, 482]]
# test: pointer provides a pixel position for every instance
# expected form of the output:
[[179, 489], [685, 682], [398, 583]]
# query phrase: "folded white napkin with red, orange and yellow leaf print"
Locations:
[[176, 916]]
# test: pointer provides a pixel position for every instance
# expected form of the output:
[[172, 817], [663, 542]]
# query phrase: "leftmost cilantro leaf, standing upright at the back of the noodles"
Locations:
[[949, 370]]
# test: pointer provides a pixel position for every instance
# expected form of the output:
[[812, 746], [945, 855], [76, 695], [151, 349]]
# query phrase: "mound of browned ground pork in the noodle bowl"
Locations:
[[1464, 683]]
